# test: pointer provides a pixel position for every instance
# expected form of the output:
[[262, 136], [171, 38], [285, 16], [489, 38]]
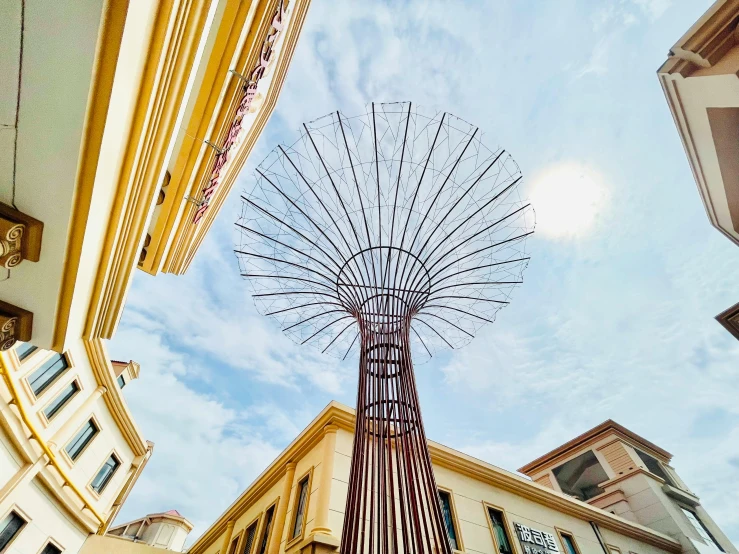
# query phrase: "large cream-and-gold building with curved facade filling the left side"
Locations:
[[124, 125]]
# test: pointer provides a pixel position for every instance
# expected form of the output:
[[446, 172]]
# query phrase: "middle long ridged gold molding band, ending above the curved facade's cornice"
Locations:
[[173, 45]]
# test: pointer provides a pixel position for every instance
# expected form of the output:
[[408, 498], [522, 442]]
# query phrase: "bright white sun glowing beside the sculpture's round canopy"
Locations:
[[568, 198]]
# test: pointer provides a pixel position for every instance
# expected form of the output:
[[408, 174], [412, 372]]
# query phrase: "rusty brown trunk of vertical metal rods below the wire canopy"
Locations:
[[392, 504]]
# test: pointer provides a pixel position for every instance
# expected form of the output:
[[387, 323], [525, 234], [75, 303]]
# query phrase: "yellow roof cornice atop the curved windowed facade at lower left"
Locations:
[[116, 404]]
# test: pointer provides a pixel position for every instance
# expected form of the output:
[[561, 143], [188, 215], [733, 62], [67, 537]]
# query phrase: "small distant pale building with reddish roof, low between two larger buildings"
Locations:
[[166, 530]]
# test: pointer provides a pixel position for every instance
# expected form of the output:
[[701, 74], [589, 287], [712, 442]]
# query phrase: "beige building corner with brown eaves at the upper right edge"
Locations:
[[701, 83]]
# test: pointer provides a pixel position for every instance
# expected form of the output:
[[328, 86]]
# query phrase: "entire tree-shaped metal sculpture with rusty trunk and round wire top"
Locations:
[[386, 233]]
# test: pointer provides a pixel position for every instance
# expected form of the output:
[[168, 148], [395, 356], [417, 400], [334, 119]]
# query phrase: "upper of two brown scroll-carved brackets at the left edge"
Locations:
[[20, 237]]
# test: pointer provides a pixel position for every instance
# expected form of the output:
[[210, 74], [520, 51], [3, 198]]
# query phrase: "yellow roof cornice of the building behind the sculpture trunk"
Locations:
[[344, 418]]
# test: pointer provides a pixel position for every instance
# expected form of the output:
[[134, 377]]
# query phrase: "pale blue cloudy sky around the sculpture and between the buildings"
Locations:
[[615, 318]]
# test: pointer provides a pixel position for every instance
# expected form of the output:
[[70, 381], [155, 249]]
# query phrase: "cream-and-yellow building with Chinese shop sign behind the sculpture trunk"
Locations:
[[594, 495]]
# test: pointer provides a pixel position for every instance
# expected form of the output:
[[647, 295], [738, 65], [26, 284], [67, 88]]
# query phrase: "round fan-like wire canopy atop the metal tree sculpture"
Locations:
[[394, 215]]
